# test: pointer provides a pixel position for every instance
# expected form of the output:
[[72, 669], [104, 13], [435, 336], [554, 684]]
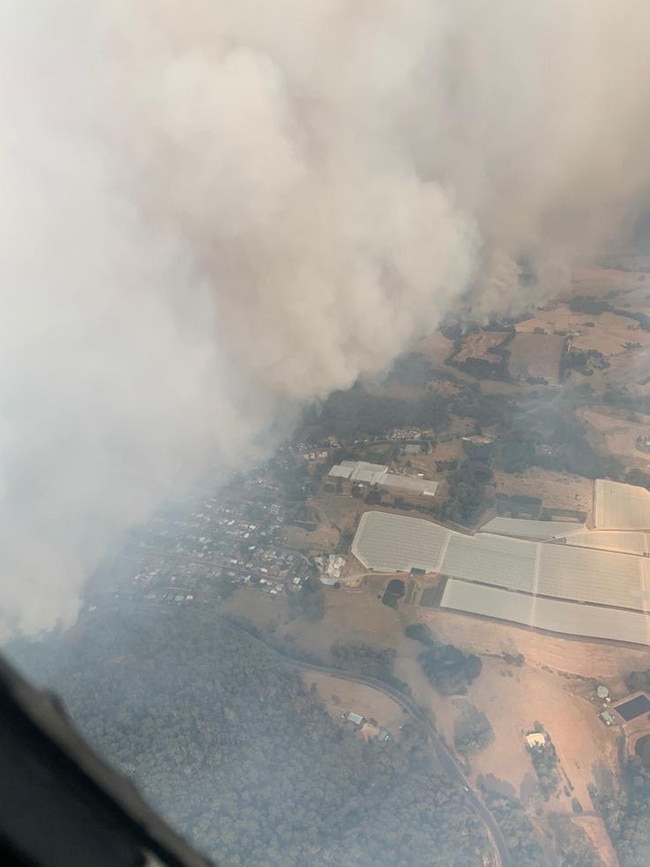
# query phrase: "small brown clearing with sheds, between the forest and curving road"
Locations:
[[340, 696]]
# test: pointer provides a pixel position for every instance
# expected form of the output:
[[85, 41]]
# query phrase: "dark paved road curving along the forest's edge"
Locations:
[[445, 756]]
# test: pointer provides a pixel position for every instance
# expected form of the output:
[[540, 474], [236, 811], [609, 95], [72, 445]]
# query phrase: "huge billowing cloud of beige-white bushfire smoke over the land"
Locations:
[[214, 211]]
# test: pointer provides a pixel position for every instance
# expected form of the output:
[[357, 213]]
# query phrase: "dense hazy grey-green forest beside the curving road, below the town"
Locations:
[[229, 744]]
